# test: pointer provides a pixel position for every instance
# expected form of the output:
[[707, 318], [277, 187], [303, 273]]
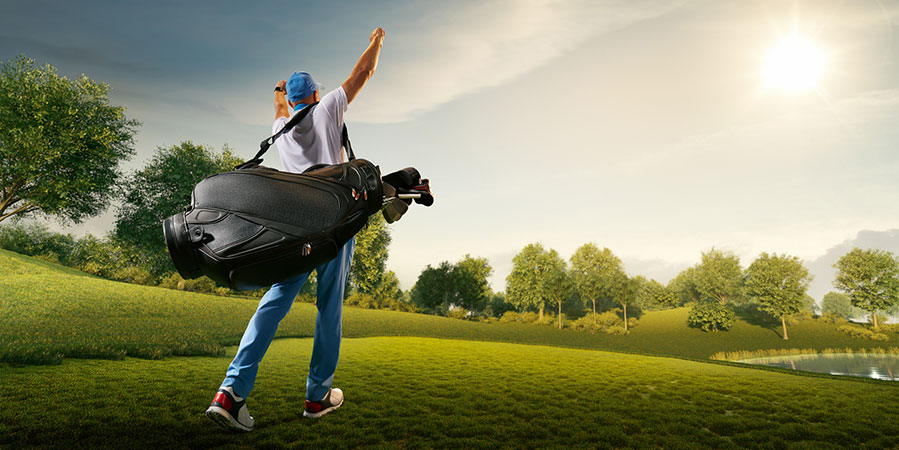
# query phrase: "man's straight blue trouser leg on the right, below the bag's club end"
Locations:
[[332, 278]]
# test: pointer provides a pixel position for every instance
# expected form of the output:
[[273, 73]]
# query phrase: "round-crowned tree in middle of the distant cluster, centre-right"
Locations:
[[592, 271]]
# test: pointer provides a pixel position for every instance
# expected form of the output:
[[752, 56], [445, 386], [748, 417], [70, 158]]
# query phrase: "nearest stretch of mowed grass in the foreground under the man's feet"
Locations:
[[405, 392]]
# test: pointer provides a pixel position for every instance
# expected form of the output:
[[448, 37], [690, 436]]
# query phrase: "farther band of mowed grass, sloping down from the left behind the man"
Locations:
[[48, 312]]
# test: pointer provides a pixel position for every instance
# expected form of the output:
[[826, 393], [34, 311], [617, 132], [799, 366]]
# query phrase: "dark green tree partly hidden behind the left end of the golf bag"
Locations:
[[162, 188]]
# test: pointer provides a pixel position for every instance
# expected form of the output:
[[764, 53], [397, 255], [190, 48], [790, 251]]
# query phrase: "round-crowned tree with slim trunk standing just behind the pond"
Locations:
[[778, 283]]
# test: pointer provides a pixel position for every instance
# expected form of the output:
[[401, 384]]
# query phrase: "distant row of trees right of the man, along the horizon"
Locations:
[[773, 284]]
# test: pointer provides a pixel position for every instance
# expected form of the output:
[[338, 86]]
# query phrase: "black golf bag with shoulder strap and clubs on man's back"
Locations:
[[255, 226]]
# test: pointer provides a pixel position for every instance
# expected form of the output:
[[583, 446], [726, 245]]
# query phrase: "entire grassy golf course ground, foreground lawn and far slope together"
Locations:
[[89, 363]]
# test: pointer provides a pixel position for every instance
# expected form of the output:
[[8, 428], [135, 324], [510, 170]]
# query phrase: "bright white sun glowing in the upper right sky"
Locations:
[[794, 65]]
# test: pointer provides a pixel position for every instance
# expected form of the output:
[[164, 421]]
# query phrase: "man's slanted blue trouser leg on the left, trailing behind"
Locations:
[[272, 308]]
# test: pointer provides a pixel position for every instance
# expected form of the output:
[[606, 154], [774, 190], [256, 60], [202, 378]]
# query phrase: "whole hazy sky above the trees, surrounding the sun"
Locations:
[[647, 127]]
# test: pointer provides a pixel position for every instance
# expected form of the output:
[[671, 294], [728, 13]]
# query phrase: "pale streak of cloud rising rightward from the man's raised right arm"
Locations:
[[454, 52]]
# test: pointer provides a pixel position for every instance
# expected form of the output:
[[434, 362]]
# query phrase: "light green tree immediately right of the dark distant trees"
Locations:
[[524, 285]]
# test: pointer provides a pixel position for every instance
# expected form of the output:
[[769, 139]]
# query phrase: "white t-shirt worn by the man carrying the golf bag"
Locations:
[[317, 138]]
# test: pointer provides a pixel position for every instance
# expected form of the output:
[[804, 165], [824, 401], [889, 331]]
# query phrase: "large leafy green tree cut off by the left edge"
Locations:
[[61, 143]]
